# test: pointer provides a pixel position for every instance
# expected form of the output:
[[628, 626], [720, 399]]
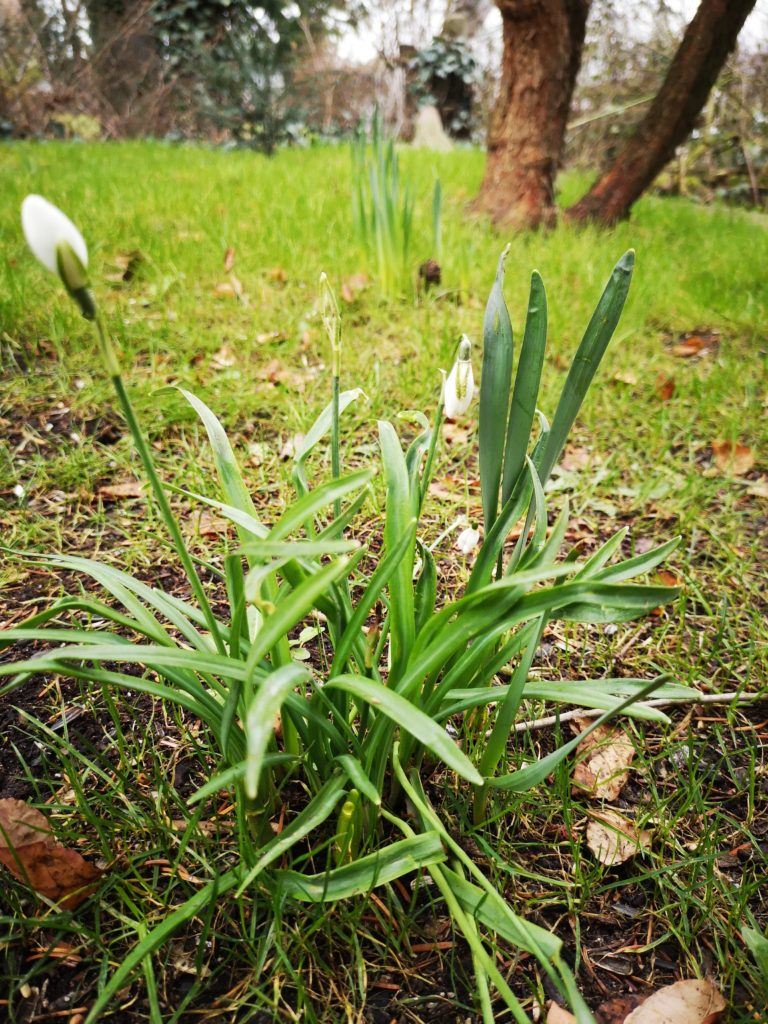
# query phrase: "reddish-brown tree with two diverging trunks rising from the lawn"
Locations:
[[543, 46]]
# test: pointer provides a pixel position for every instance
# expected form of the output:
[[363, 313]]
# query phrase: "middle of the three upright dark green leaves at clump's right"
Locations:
[[526, 392]]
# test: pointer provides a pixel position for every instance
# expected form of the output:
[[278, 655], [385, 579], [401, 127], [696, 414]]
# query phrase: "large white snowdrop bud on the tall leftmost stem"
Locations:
[[60, 247]]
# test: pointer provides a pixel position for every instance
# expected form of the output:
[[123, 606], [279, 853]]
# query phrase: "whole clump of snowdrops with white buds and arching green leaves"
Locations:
[[363, 729]]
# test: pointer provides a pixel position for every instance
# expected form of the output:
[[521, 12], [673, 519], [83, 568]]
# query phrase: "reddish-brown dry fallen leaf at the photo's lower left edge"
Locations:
[[30, 852]]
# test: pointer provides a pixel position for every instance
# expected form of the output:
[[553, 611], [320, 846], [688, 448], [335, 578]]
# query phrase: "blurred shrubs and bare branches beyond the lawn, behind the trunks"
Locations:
[[229, 73]]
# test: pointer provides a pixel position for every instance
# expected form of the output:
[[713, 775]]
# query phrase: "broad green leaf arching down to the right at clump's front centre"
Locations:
[[410, 718]]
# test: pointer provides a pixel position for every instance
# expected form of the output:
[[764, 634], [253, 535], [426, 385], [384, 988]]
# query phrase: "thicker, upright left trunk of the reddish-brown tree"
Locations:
[[543, 45]]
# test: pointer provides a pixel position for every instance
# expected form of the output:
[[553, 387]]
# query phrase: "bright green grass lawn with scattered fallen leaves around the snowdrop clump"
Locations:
[[252, 347]]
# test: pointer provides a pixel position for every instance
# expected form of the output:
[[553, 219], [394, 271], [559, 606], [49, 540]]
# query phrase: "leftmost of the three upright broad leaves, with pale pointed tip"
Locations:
[[495, 389]]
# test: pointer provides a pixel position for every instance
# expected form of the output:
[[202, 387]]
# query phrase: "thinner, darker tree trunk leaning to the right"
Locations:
[[708, 41]]
